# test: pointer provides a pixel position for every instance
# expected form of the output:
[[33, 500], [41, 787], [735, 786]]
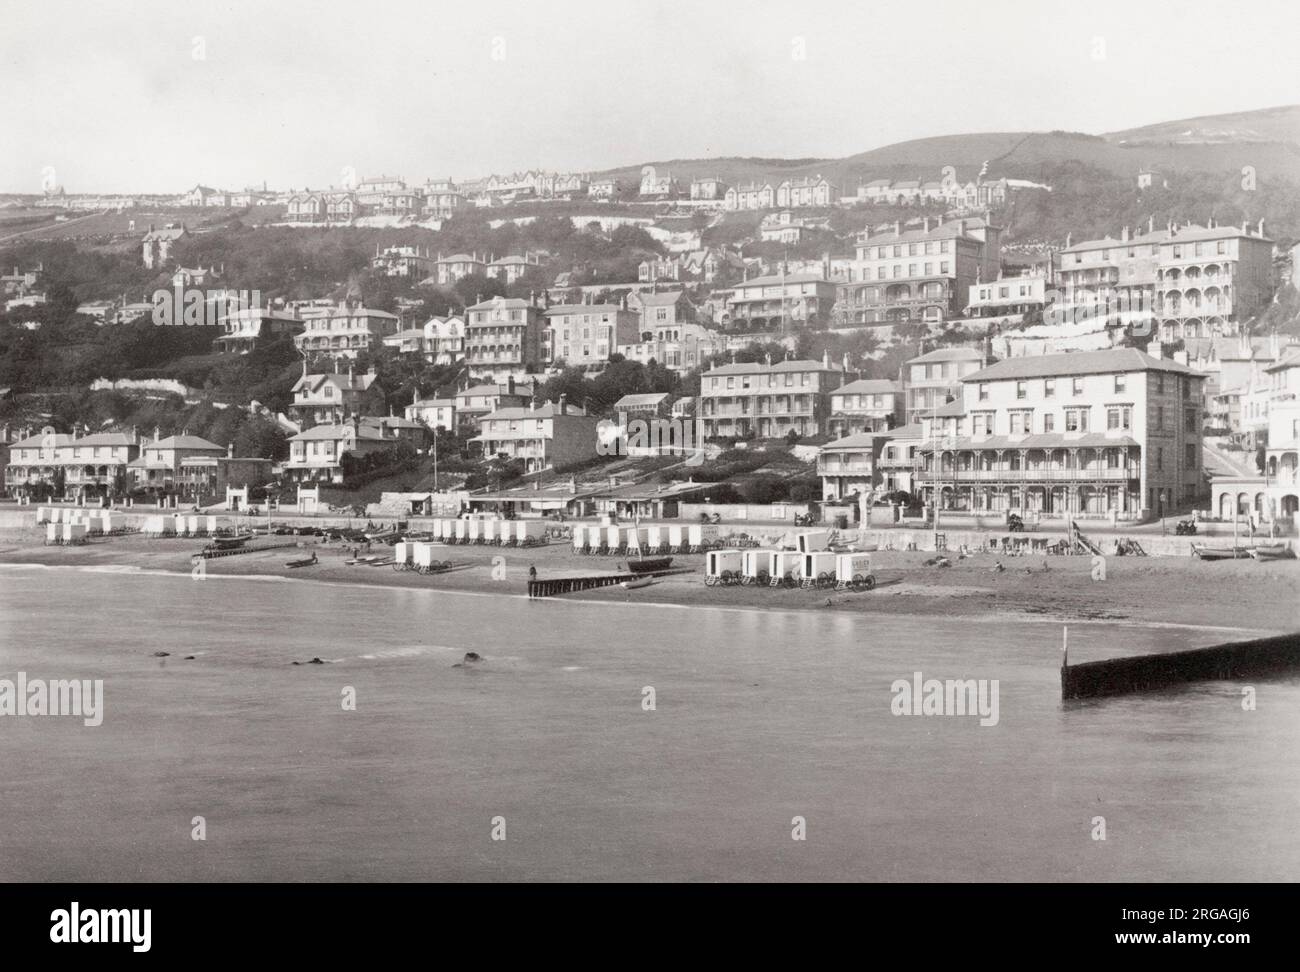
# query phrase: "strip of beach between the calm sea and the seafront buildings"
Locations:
[[1154, 591]]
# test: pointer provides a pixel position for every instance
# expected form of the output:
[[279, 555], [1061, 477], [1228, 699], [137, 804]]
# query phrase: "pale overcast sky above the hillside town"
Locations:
[[154, 97]]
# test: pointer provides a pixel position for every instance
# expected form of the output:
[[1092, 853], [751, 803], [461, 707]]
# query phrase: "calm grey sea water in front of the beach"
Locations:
[[760, 718]]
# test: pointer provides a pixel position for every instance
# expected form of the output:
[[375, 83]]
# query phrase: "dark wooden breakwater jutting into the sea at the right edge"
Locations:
[[1245, 659]]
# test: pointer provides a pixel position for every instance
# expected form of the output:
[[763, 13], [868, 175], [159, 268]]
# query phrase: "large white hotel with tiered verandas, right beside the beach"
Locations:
[[1091, 433]]
